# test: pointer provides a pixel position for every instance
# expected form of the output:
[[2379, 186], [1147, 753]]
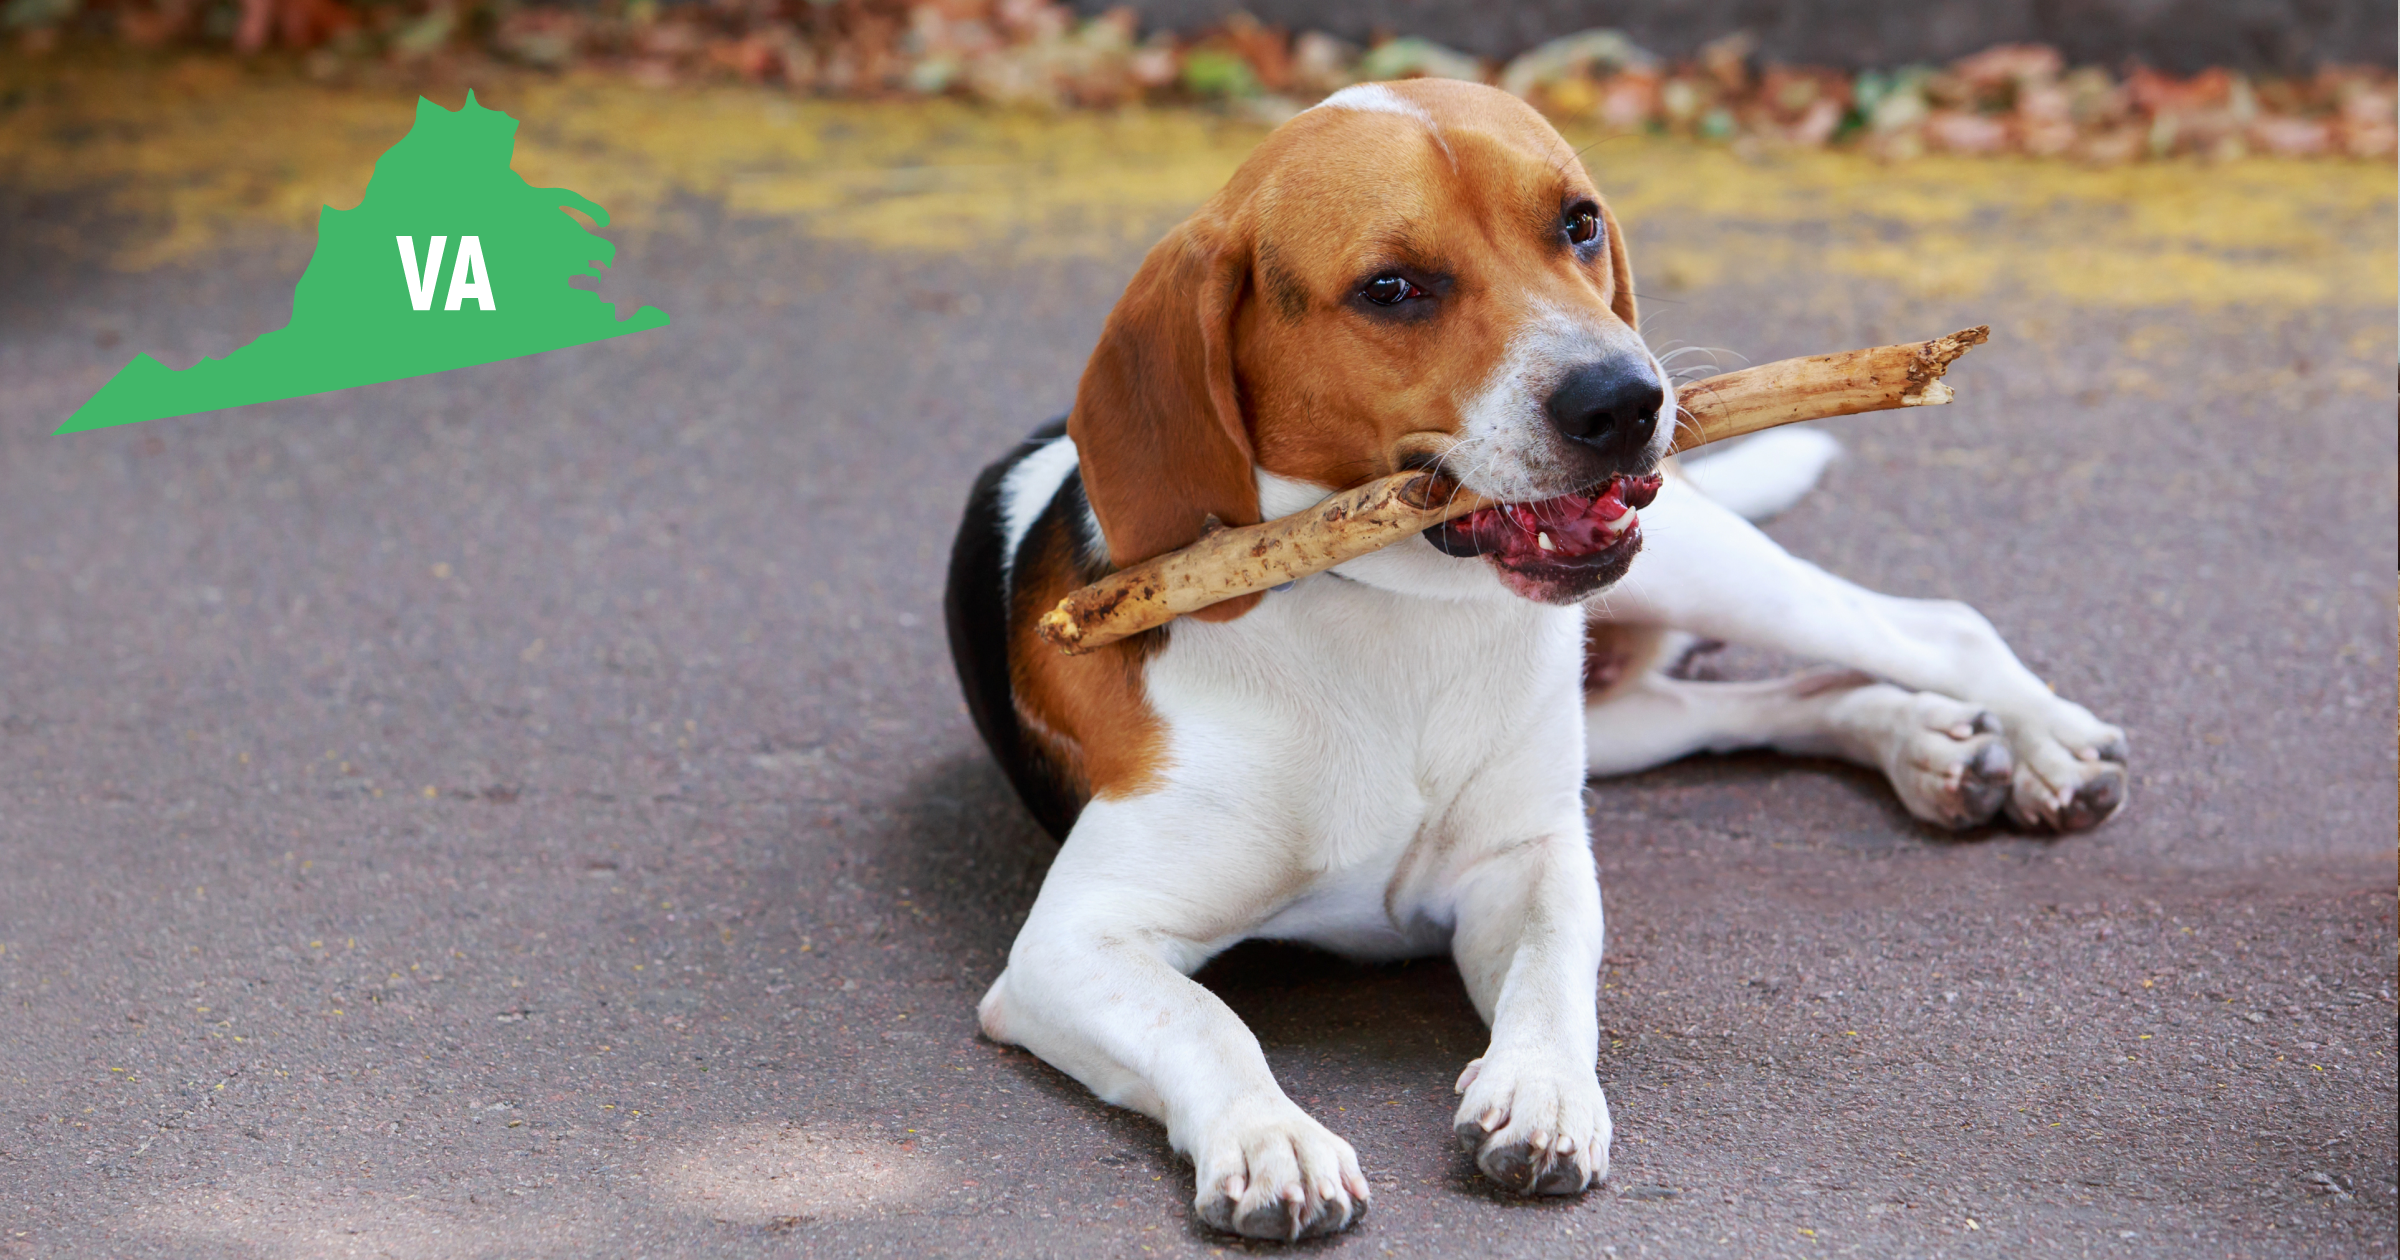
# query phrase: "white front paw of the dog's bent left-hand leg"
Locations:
[[1271, 1172]]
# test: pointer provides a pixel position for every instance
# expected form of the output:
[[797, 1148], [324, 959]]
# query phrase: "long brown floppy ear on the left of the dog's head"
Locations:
[[1158, 421]]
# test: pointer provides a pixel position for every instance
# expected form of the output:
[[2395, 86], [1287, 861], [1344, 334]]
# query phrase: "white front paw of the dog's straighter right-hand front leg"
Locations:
[[1535, 1129]]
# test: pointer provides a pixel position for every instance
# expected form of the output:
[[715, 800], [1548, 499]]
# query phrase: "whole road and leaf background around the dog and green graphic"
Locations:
[[529, 812]]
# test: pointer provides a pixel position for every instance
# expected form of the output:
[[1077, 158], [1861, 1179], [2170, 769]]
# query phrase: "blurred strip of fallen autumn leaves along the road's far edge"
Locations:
[[2104, 80]]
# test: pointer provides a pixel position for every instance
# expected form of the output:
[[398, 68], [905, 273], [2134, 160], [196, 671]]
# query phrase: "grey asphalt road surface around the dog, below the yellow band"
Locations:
[[529, 812]]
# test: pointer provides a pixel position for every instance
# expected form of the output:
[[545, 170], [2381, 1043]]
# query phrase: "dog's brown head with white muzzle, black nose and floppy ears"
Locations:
[[1405, 275]]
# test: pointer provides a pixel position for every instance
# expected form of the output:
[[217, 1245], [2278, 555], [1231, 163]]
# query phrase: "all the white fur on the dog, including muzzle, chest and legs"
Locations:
[[1388, 762]]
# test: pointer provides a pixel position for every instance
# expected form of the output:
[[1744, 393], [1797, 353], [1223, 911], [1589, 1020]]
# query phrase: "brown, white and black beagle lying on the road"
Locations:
[[1388, 760]]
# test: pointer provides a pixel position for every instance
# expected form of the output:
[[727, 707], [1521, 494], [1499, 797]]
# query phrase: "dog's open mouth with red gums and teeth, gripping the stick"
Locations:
[[1556, 548]]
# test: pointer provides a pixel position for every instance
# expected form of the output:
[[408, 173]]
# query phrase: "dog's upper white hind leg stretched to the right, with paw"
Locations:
[[1710, 572]]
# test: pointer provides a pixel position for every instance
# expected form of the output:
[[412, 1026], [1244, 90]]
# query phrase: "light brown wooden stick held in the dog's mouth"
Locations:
[[1228, 563]]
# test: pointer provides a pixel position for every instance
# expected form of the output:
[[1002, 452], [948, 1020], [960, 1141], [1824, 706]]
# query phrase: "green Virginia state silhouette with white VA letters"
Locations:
[[383, 301]]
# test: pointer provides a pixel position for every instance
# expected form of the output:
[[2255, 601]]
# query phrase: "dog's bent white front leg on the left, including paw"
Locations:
[[1098, 985]]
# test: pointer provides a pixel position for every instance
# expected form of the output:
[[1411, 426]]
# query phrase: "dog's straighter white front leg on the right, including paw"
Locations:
[[1530, 949]]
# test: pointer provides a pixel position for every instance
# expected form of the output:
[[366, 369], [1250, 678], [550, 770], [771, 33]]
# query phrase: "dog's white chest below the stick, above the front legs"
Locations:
[[1343, 728]]
